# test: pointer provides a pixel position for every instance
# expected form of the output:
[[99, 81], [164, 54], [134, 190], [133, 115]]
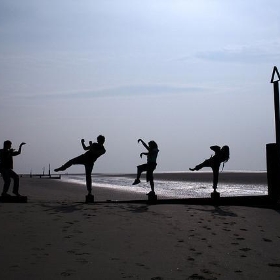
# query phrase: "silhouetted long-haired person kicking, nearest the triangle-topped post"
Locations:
[[221, 156]]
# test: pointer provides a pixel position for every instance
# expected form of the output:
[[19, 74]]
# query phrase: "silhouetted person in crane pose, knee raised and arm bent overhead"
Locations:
[[151, 164]]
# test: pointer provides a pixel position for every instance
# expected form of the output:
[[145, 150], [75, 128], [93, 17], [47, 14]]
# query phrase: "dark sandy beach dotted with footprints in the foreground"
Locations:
[[57, 236]]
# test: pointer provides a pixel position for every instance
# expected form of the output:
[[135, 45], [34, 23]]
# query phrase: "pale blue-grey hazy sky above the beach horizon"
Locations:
[[186, 74]]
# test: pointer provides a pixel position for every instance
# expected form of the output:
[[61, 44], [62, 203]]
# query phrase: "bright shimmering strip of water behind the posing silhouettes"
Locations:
[[171, 189]]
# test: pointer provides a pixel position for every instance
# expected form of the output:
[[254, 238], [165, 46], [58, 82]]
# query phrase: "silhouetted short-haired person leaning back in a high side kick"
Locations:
[[94, 151]]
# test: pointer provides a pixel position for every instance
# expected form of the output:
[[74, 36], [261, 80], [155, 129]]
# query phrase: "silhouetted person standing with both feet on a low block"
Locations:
[[6, 167]]
